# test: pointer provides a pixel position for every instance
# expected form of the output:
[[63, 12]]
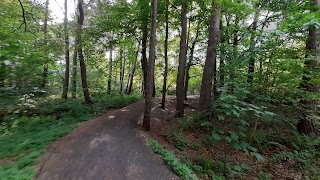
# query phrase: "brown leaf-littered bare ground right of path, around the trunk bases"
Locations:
[[191, 147]]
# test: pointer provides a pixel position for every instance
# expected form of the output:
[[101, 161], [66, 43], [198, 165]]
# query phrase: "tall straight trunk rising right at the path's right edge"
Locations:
[[150, 67]]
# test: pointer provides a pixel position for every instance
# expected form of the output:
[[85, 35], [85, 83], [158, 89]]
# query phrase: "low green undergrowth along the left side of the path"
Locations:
[[26, 132]]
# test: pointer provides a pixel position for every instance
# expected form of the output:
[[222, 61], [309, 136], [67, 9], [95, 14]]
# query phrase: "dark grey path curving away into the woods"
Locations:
[[108, 147]]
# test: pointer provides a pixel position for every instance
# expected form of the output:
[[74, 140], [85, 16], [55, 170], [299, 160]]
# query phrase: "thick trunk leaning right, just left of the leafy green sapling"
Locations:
[[210, 63]]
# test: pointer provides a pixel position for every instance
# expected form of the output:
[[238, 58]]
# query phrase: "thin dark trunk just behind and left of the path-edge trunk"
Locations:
[[144, 55]]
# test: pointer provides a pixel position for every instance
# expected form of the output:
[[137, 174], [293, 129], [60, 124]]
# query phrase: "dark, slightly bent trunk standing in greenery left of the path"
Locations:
[[80, 53]]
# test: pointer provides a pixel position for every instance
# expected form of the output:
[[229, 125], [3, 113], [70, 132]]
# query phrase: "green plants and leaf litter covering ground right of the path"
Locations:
[[242, 139]]
